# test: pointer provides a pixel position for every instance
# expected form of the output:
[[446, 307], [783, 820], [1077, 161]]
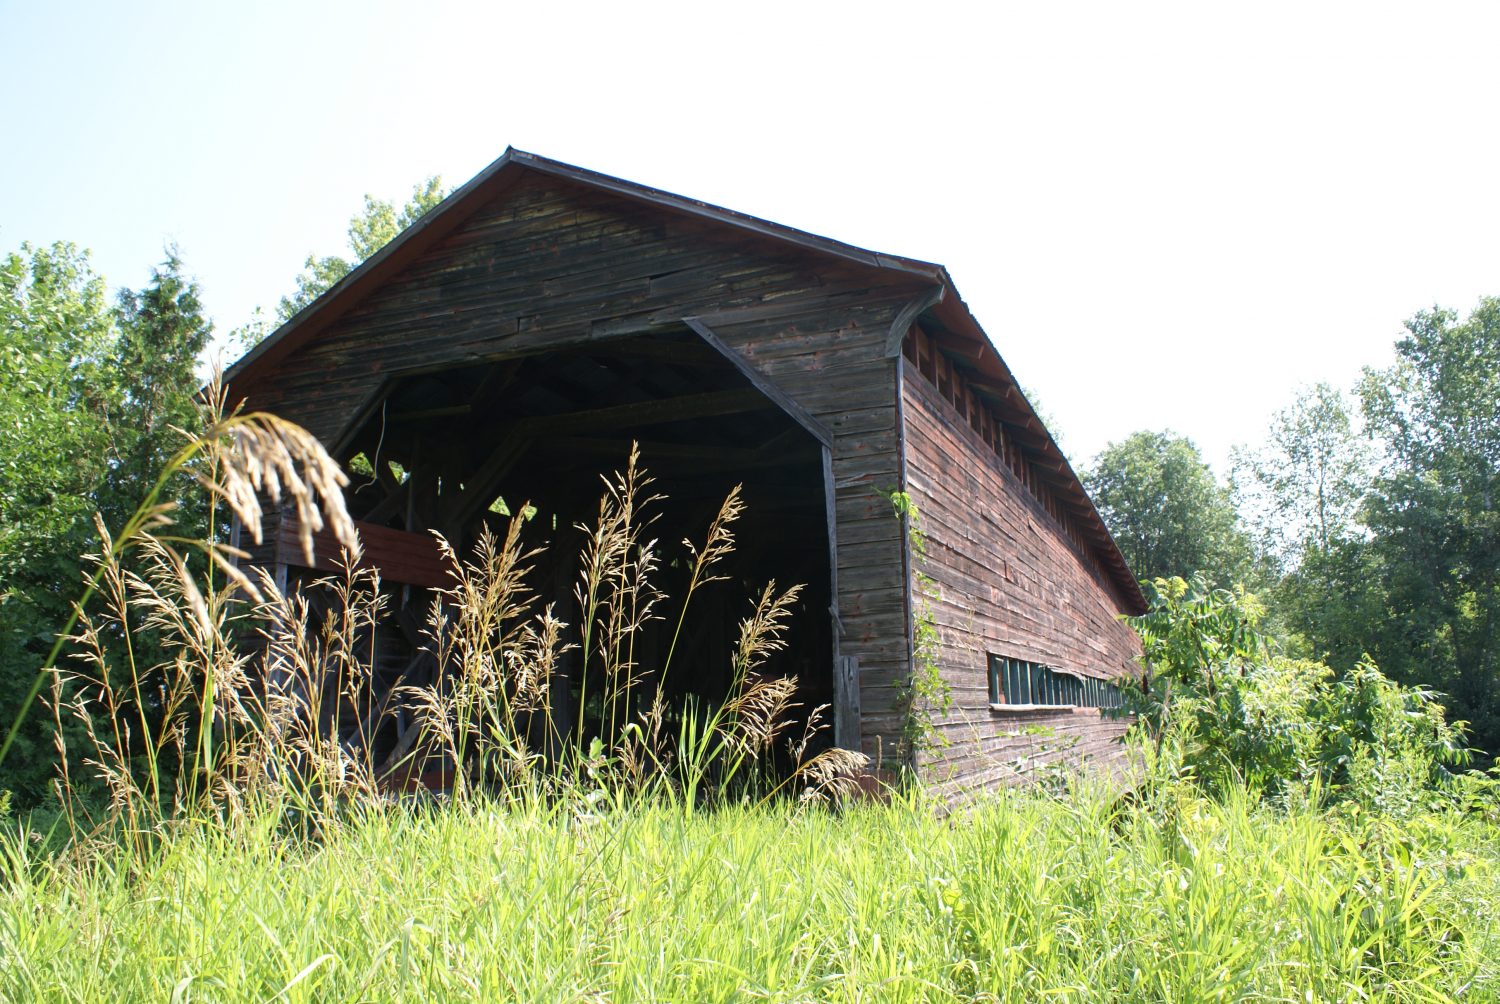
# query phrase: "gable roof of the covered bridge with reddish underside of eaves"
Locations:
[[956, 331]]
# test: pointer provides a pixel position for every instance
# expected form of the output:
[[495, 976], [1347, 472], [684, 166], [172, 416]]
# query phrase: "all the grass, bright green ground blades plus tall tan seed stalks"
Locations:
[[251, 847]]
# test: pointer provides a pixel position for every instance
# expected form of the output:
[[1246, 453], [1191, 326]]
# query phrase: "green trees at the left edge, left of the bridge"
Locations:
[[89, 410]]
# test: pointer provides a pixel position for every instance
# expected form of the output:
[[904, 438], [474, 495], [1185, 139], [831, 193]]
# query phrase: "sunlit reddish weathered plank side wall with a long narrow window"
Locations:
[[1007, 580]]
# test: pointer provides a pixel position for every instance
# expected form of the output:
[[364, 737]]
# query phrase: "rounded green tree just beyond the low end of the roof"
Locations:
[[1166, 511]]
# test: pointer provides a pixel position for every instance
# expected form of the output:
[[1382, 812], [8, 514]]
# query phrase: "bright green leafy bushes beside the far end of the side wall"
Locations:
[[1223, 711]]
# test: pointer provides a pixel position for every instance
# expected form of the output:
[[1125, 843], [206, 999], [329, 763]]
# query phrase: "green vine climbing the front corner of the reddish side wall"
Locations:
[[928, 696]]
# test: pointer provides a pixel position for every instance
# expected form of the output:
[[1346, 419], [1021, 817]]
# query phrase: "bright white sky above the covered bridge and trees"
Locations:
[[1165, 215]]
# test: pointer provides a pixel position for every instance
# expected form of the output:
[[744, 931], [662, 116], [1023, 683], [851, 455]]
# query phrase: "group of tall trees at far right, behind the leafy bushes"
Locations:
[[1382, 529]]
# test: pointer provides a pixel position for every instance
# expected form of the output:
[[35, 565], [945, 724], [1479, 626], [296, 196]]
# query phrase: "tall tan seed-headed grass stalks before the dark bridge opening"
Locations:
[[263, 700]]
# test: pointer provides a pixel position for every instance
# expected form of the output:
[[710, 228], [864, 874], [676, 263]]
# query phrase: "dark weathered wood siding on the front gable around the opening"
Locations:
[[550, 263]]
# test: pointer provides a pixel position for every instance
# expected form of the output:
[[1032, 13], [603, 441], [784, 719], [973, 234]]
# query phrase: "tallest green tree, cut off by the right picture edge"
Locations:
[[1435, 510]]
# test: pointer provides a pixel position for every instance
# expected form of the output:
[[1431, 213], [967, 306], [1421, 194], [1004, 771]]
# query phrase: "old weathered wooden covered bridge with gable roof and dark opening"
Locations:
[[515, 341]]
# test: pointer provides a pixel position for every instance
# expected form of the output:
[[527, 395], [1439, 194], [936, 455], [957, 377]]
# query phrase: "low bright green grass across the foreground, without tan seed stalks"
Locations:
[[1019, 898]]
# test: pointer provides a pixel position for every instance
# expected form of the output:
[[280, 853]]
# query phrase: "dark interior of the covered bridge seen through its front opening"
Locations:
[[460, 449]]
